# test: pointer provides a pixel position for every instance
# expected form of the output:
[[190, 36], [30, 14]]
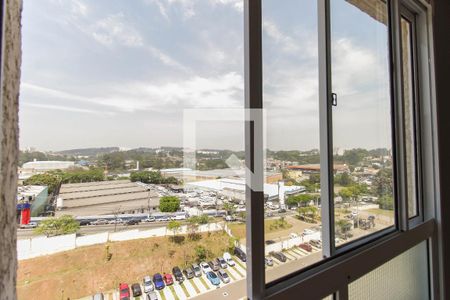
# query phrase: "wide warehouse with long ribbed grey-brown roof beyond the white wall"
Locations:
[[105, 198]]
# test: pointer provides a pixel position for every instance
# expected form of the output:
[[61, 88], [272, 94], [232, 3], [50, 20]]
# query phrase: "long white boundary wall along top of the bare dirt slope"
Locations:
[[42, 245]]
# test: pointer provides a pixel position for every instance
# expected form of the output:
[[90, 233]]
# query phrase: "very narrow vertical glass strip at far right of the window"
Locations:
[[409, 120]]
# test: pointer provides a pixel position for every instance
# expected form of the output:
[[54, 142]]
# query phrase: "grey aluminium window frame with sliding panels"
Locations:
[[342, 266]]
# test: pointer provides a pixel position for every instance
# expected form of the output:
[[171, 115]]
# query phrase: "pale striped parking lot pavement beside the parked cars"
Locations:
[[190, 288]]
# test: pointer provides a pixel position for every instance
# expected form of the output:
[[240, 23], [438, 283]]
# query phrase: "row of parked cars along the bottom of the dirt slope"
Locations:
[[214, 271]]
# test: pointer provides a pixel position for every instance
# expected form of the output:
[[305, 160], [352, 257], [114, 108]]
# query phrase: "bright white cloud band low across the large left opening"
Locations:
[[196, 92]]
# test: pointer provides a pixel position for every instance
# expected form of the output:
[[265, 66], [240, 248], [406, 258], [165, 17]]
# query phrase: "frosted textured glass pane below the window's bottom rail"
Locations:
[[404, 277]]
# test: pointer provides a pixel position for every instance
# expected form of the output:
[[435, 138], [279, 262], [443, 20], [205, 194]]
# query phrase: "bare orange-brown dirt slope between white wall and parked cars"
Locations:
[[84, 271]]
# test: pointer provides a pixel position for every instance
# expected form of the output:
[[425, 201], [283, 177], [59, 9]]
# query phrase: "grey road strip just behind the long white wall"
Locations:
[[91, 229]]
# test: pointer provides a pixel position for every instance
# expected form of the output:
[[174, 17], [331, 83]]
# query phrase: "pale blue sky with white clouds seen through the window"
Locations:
[[123, 73]]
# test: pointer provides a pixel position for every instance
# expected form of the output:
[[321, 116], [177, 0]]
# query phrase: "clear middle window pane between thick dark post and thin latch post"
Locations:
[[292, 207]]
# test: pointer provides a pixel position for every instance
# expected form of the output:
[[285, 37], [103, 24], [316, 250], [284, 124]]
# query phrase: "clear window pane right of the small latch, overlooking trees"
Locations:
[[363, 184]]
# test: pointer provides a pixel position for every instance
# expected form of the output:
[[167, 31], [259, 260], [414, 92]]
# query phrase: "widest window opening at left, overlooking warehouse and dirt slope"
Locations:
[[119, 95]]
